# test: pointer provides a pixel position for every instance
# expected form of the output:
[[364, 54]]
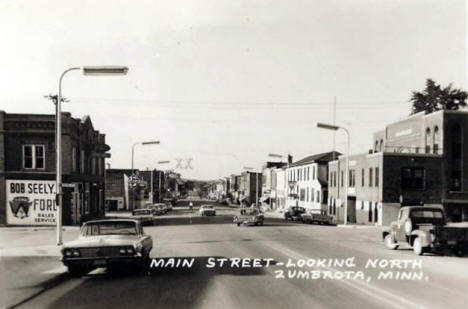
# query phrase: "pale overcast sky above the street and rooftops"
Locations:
[[226, 82]]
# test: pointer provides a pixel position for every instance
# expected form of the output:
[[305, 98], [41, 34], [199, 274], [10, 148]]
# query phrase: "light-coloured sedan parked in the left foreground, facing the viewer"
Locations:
[[107, 243]]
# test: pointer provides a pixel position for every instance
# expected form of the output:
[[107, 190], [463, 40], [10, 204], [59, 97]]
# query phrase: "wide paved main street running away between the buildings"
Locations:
[[184, 234]]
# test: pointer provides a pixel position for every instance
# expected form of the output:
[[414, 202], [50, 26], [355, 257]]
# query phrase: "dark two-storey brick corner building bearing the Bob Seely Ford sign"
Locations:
[[27, 169]]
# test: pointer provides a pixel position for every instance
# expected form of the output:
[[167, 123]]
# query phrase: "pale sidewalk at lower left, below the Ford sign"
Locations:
[[30, 262]]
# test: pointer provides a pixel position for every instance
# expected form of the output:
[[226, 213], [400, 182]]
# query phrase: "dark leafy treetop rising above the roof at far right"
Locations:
[[434, 98]]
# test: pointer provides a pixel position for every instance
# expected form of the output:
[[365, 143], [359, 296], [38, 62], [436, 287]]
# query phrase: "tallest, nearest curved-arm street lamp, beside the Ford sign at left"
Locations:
[[87, 70]]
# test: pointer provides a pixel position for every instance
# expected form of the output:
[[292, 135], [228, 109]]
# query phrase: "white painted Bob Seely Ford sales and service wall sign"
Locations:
[[30, 202]]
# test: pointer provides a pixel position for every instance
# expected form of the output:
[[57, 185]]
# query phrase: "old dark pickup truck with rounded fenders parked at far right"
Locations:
[[426, 230]]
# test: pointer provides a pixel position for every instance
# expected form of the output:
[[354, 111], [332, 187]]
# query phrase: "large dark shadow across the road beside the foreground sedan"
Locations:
[[161, 287]]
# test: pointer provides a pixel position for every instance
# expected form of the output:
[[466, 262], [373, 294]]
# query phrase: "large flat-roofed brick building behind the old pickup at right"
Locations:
[[418, 160]]
